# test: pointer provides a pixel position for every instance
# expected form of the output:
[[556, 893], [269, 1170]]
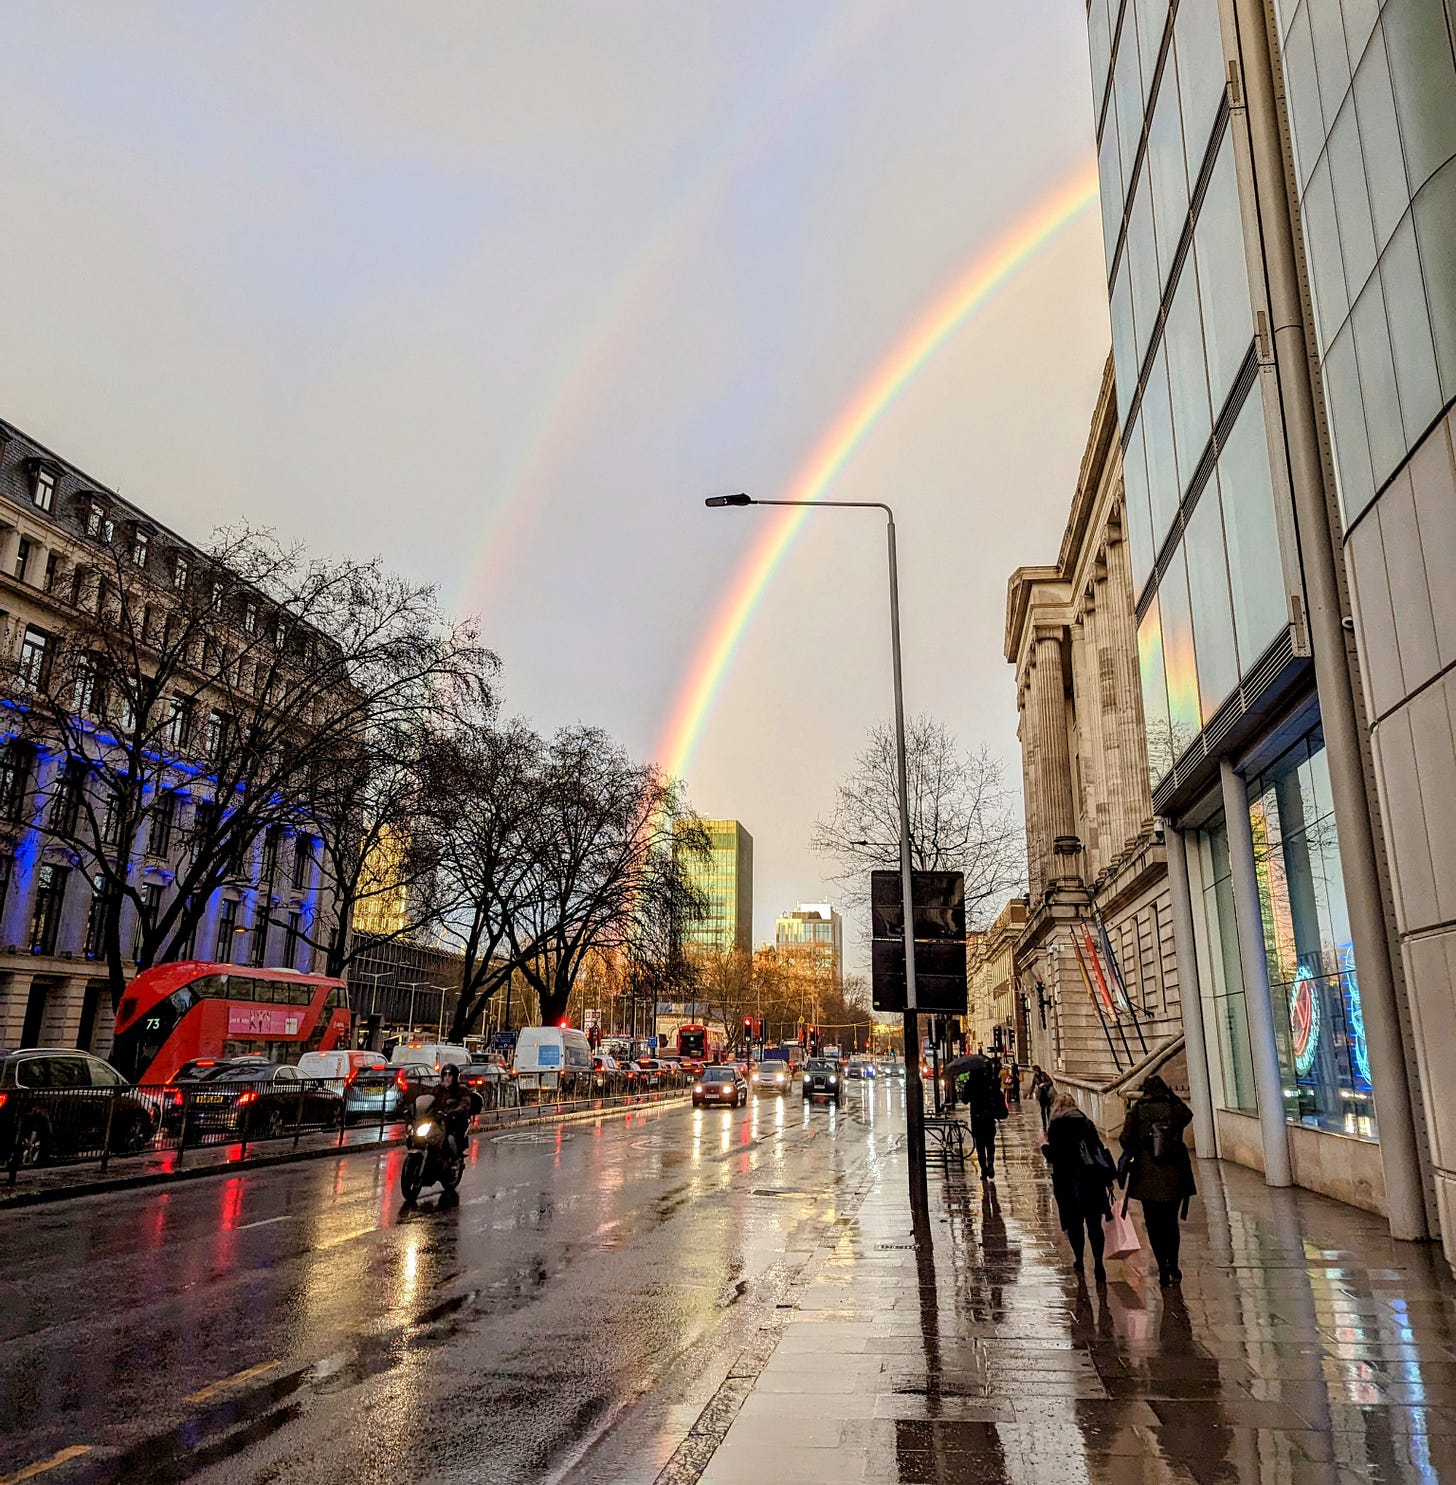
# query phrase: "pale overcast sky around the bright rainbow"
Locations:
[[501, 292]]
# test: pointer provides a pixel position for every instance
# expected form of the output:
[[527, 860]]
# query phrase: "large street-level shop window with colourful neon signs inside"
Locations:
[[1313, 973]]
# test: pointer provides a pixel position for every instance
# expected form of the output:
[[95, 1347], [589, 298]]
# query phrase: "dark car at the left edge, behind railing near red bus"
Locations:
[[56, 1104]]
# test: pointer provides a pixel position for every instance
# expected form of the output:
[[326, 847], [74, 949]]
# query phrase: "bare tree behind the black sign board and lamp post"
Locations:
[[963, 817]]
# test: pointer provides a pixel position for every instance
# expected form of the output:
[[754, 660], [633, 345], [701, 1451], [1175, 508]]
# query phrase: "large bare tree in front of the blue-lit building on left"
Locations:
[[201, 702]]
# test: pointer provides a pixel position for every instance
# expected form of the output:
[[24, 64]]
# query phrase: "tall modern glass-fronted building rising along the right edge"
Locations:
[[1280, 221]]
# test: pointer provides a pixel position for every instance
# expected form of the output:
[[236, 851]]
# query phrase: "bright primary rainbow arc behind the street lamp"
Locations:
[[1017, 247]]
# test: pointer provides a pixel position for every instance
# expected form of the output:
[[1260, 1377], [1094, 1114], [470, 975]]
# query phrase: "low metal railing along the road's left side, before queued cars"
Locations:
[[74, 1126]]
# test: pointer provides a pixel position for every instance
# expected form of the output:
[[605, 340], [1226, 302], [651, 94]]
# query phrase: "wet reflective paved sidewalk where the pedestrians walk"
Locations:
[[1302, 1346]]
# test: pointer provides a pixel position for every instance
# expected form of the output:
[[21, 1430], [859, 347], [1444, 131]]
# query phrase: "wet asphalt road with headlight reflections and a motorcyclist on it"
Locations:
[[571, 1315]]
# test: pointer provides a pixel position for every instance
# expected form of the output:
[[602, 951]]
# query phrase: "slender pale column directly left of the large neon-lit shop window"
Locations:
[[1268, 1079]]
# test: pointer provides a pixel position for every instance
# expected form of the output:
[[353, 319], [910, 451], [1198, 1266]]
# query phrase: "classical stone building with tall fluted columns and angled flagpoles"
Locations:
[[1096, 967]]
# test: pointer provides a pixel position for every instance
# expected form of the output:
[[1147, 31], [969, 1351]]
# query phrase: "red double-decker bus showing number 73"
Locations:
[[173, 1014]]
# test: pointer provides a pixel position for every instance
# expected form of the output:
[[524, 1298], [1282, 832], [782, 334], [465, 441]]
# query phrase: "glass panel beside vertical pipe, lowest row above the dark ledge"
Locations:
[[1246, 488]]
